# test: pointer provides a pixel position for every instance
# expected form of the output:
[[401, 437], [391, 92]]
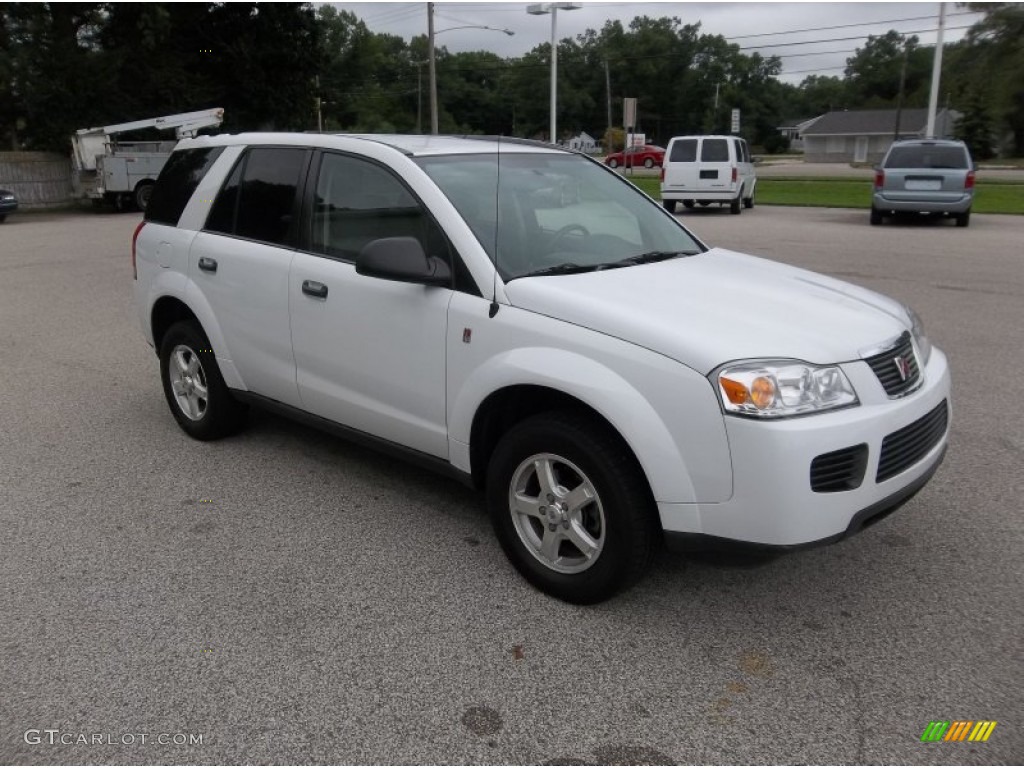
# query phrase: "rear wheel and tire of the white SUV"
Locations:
[[188, 369]]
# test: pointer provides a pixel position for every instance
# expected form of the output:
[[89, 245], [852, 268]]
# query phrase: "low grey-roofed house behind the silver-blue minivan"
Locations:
[[865, 136]]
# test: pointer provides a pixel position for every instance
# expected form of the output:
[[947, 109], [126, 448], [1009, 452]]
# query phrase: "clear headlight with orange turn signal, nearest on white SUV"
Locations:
[[774, 390]]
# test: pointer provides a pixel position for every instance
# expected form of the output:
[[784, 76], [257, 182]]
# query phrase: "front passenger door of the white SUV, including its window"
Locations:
[[370, 354]]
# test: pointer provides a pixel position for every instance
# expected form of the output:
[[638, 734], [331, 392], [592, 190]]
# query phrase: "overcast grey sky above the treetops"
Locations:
[[746, 24]]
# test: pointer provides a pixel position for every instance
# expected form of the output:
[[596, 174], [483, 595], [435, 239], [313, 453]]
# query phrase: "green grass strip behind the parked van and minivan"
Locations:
[[830, 193]]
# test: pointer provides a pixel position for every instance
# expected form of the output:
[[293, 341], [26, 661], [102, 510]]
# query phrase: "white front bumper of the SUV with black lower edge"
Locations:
[[774, 504]]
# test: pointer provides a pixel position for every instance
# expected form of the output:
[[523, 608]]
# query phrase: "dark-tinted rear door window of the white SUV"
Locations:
[[259, 200]]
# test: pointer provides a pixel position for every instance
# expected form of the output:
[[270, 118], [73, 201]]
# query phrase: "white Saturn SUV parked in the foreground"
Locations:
[[524, 319]]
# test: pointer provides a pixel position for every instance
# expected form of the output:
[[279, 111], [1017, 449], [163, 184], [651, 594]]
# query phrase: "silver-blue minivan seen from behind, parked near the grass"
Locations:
[[930, 177]]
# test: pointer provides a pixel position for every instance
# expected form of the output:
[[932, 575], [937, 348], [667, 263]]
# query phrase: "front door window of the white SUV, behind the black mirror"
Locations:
[[358, 202]]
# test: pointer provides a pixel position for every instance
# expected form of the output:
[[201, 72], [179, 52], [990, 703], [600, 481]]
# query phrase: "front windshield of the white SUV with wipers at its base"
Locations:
[[556, 214]]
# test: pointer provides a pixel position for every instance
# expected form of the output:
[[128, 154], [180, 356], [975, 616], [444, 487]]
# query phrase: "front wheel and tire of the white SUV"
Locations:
[[616, 524]]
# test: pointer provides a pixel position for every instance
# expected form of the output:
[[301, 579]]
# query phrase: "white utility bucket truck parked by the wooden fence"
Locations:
[[125, 173]]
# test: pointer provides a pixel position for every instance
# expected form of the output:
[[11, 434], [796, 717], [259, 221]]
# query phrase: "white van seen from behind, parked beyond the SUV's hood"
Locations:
[[708, 169]]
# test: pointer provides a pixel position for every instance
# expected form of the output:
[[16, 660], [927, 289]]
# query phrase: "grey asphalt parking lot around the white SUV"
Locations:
[[291, 599]]
